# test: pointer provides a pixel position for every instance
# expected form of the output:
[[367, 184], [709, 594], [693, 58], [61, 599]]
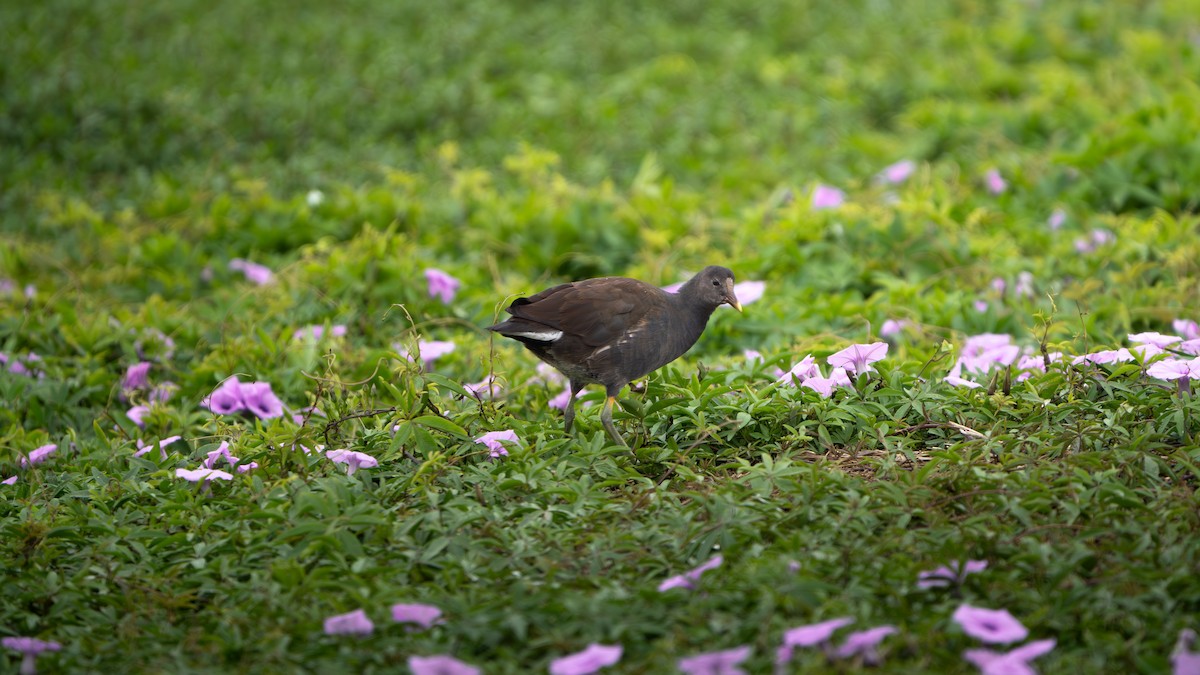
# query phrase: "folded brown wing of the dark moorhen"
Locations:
[[597, 312]]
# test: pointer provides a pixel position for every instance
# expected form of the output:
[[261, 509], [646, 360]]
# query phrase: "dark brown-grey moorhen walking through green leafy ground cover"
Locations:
[[613, 331]]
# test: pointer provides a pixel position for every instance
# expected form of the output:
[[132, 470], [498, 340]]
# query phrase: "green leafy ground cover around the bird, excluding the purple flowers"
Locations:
[[349, 148]]
